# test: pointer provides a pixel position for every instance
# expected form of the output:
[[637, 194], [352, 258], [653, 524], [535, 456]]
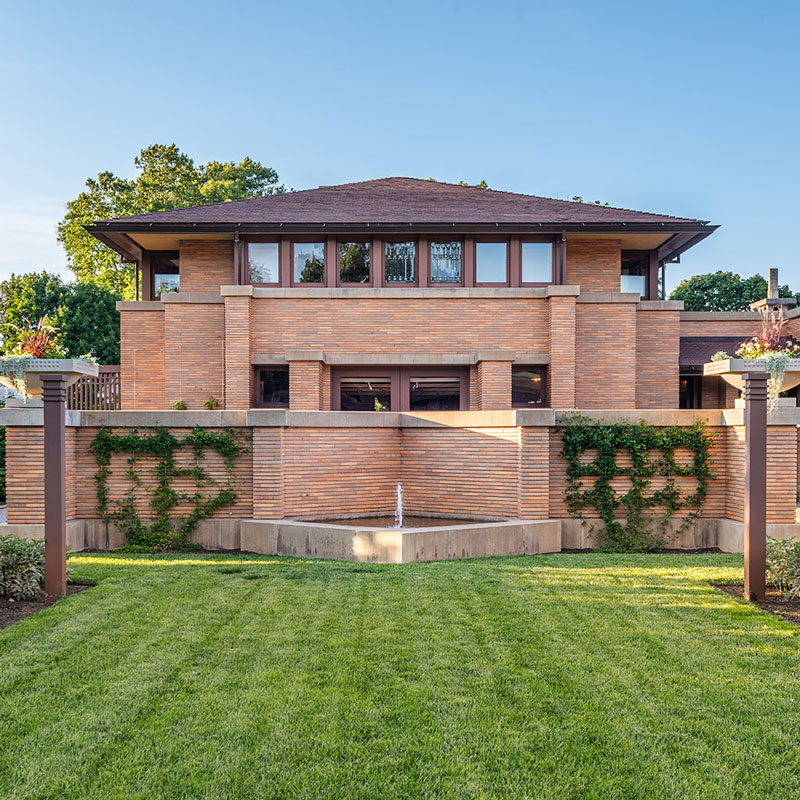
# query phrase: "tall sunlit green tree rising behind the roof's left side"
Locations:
[[167, 179]]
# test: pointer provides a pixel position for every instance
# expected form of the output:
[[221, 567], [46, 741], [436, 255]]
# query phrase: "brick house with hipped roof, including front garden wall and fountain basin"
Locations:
[[408, 331]]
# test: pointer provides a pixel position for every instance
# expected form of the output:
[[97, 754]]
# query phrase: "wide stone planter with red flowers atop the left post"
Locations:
[[38, 352]]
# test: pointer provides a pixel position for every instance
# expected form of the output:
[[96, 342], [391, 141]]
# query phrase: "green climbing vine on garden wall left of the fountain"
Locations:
[[164, 532]]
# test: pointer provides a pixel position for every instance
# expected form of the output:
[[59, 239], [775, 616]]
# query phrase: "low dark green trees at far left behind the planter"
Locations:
[[85, 314]]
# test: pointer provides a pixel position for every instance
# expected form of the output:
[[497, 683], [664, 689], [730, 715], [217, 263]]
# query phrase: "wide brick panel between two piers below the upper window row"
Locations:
[[364, 325]]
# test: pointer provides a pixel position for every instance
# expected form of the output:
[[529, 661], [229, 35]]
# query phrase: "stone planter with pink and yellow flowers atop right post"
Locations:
[[770, 351]]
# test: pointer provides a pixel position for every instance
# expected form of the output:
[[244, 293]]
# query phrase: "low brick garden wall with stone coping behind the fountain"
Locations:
[[495, 465]]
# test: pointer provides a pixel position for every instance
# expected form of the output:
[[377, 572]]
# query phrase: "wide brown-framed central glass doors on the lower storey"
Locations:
[[400, 389]]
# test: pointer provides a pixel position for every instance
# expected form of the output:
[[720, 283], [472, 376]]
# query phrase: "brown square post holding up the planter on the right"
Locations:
[[755, 485]]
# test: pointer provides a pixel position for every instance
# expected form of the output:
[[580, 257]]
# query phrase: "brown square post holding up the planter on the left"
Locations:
[[54, 396]]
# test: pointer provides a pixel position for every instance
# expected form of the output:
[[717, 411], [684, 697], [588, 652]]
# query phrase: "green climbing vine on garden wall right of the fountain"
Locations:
[[637, 519]]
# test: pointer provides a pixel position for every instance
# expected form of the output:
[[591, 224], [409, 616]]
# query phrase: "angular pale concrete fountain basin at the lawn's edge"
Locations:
[[361, 540]]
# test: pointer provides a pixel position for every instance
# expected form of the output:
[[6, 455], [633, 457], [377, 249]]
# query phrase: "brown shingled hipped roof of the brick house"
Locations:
[[399, 200]]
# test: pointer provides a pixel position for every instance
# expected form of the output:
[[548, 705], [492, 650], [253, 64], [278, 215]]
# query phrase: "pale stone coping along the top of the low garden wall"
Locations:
[[276, 417]]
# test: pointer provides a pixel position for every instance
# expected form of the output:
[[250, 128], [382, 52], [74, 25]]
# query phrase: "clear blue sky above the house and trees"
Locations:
[[688, 108]]
